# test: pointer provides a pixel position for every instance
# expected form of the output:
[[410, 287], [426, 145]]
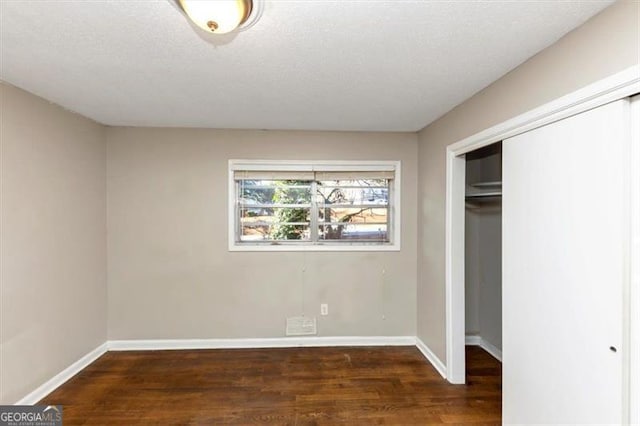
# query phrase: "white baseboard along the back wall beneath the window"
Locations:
[[284, 342]]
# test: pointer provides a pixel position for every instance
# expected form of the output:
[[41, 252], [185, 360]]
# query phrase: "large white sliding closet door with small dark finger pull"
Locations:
[[565, 235]]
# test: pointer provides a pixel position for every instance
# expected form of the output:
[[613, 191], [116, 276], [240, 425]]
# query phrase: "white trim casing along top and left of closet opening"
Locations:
[[612, 88]]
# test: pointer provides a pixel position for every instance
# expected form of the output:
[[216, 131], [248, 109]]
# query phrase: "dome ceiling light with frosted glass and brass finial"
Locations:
[[222, 16]]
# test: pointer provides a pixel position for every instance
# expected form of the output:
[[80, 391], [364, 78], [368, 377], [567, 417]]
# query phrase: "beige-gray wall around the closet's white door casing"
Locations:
[[606, 44]]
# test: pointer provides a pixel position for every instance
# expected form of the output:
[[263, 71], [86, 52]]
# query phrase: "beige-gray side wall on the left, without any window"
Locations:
[[53, 290]]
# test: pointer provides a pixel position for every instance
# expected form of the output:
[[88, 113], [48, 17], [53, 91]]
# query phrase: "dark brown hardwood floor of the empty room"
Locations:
[[301, 386]]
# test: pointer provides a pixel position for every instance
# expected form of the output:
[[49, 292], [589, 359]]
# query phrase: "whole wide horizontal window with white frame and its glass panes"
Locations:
[[306, 205]]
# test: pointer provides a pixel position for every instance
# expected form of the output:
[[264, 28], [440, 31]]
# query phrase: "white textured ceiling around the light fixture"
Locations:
[[315, 64]]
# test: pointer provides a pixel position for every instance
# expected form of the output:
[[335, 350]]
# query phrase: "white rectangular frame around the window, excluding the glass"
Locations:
[[317, 166]]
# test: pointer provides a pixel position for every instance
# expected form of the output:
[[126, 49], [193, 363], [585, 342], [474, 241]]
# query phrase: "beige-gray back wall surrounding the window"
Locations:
[[171, 275]]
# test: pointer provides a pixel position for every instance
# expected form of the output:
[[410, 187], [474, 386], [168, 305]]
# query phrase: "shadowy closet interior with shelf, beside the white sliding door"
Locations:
[[483, 250]]
